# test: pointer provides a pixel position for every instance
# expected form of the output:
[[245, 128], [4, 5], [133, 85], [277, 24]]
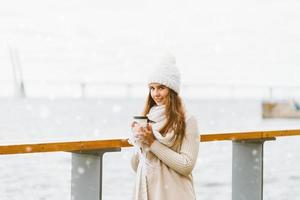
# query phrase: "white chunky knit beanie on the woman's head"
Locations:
[[166, 73]]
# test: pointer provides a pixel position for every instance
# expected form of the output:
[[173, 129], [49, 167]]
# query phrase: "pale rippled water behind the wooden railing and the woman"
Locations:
[[46, 176]]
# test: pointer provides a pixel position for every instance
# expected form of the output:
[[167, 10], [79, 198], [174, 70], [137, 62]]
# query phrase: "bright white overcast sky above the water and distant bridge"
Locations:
[[239, 42]]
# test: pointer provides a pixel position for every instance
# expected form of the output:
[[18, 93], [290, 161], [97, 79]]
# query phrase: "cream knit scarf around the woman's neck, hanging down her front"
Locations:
[[157, 116]]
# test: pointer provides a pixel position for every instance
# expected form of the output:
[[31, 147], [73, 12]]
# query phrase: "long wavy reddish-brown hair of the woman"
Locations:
[[175, 115]]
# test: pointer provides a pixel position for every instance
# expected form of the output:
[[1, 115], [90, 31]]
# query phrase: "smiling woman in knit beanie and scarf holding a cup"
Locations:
[[169, 144]]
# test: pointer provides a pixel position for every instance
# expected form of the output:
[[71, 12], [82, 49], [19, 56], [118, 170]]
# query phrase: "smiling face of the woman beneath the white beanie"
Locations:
[[159, 93]]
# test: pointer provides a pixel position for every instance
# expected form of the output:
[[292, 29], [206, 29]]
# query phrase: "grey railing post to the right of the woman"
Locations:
[[247, 169]]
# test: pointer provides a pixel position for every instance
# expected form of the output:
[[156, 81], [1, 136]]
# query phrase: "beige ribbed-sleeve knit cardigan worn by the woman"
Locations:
[[172, 179]]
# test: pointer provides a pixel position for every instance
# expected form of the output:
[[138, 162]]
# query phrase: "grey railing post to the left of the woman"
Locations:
[[86, 180]]
